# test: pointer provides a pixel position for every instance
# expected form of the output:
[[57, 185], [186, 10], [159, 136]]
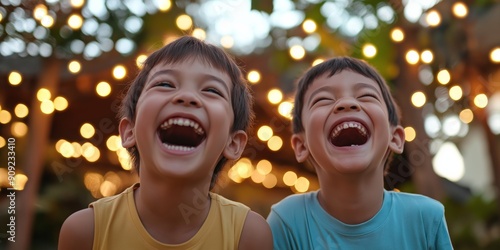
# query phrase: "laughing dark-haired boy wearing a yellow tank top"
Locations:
[[185, 114]]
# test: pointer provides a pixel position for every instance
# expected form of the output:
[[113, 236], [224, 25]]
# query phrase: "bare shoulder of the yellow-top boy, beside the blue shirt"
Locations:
[[256, 233]]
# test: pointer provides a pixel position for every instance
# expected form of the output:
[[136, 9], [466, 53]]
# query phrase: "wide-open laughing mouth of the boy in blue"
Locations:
[[348, 134]]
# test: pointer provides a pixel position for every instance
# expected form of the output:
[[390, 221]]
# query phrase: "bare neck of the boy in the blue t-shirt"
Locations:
[[351, 199]]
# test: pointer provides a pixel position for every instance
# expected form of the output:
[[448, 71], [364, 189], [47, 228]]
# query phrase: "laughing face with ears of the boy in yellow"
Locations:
[[183, 121]]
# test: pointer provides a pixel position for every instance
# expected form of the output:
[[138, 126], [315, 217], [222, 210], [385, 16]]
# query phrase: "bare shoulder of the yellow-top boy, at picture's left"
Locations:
[[77, 231]]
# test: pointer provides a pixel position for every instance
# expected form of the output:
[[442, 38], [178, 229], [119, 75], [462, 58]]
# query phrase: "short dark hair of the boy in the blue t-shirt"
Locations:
[[332, 67]]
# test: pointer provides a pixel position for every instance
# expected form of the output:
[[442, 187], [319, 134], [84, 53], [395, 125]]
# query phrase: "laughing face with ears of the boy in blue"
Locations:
[[346, 125]]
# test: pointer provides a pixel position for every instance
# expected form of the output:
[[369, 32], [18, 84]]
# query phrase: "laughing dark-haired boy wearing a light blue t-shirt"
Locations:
[[346, 125]]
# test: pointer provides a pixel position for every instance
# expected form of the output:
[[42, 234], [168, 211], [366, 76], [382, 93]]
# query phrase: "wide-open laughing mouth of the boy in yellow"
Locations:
[[181, 134]]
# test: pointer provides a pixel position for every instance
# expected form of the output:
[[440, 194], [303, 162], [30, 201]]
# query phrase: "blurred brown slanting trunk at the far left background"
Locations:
[[38, 135]]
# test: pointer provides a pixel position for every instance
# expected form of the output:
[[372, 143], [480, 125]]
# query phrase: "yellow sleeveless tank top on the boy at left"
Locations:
[[117, 225]]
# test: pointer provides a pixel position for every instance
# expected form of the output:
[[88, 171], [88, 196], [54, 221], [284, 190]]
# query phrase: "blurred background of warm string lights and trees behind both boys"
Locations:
[[64, 65]]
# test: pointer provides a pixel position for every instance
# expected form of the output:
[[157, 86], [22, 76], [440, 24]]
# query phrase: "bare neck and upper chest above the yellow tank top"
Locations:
[[174, 208]]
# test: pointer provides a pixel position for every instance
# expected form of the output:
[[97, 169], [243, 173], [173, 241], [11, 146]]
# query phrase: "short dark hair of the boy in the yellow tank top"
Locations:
[[187, 47]]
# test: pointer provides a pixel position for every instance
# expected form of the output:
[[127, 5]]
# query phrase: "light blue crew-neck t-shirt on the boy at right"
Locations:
[[405, 221]]
